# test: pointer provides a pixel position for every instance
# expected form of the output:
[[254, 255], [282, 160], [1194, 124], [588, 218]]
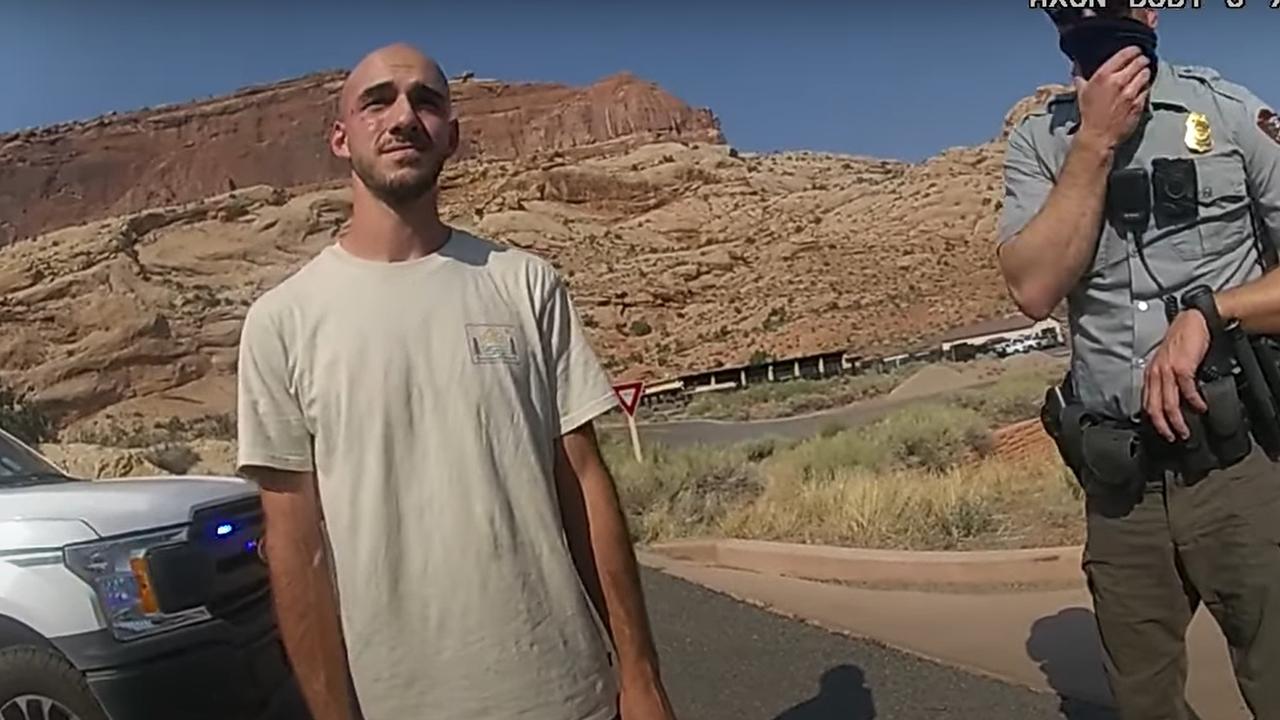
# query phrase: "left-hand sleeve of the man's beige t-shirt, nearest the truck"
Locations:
[[271, 426]]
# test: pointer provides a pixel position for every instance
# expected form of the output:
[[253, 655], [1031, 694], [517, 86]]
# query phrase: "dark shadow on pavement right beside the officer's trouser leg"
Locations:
[[1067, 649]]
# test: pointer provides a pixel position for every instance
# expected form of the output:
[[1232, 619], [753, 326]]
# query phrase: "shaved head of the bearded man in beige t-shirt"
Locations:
[[396, 124]]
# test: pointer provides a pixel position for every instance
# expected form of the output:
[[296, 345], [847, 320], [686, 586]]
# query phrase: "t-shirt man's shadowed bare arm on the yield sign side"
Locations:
[[601, 543]]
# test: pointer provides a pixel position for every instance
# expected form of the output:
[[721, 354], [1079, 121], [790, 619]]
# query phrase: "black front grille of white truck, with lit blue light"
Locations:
[[231, 535]]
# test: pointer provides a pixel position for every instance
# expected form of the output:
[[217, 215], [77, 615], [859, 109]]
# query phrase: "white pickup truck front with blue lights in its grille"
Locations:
[[135, 599]]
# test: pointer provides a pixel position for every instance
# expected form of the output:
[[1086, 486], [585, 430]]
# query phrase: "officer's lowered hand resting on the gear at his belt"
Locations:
[[1172, 376]]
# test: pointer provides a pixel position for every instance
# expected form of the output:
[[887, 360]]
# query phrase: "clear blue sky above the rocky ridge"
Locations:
[[895, 79]]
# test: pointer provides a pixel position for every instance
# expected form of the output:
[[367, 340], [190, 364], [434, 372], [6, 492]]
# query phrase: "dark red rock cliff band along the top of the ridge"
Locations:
[[277, 135]]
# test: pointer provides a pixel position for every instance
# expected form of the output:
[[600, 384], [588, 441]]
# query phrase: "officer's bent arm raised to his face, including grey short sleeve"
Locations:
[[1046, 257]]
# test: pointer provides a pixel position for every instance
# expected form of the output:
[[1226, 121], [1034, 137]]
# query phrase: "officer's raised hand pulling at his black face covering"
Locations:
[[1113, 101]]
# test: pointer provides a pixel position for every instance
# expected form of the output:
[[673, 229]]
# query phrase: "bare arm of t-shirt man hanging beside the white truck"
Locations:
[[304, 594]]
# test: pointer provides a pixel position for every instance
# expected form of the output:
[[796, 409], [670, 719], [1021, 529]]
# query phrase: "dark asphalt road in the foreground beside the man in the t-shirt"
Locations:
[[725, 660]]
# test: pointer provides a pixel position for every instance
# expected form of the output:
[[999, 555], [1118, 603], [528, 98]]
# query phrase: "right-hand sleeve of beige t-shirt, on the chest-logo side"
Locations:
[[583, 389]]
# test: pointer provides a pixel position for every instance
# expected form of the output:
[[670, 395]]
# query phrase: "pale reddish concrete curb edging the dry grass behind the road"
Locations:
[[1049, 566]]
